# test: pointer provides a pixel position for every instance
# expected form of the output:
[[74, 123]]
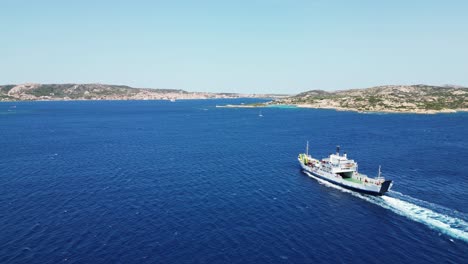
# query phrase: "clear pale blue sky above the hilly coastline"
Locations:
[[235, 46]]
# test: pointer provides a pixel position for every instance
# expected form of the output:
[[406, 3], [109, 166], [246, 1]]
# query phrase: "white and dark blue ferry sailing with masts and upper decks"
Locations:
[[340, 170]]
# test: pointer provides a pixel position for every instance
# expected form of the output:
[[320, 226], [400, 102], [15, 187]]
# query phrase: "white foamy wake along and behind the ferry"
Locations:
[[449, 225]]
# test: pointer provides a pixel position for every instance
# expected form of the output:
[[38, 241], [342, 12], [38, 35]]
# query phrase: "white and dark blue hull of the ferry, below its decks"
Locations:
[[369, 189]]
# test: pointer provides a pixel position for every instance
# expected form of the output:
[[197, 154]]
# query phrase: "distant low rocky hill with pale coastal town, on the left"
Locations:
[[34, 91]]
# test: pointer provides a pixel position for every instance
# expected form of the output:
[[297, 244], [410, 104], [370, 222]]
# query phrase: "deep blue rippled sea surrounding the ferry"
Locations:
[[186, 182]]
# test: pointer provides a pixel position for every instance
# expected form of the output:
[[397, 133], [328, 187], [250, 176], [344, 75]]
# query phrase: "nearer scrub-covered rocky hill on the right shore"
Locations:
[[389, 98]]
